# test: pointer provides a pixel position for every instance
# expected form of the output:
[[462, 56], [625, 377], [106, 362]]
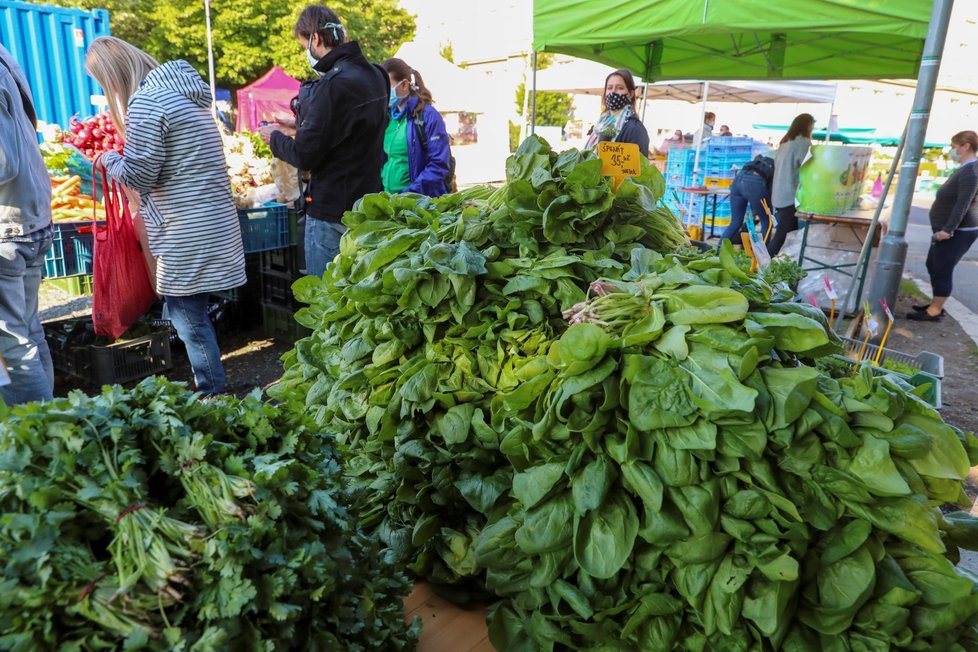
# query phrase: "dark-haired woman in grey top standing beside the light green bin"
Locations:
[[787, 163]]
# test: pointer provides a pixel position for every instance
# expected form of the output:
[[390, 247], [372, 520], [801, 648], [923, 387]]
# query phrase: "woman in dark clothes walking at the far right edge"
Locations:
[[954, 220]]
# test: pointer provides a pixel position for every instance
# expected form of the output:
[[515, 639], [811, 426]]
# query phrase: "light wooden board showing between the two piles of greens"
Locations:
[[446, 627]]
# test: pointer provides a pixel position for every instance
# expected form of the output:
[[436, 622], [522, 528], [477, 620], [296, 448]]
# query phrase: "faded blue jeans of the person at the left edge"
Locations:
[[22, 343]]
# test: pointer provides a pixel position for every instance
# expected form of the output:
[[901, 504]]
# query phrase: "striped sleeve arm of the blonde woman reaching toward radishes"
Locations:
[[146, 129]]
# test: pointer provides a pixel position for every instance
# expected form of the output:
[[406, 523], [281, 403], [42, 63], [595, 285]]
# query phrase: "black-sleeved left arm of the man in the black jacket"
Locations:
[[323, 125]]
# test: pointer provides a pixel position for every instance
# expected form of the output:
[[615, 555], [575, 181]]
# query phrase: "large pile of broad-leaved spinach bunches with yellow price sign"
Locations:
[[669, 472]]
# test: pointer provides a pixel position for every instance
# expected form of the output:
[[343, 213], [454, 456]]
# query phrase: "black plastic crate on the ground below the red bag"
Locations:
[[121, 362]]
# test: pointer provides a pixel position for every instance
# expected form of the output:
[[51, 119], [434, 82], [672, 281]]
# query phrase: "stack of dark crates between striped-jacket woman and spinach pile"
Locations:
[[279, 270]]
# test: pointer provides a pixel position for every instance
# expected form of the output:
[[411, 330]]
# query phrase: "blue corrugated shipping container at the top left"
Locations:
[[50, 44]]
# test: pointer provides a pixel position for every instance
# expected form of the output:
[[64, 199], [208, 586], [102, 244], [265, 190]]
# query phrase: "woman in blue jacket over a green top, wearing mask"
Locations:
[[416, 142]]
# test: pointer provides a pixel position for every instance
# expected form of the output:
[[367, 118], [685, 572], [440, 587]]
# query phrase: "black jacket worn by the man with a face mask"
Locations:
[[340, 135]]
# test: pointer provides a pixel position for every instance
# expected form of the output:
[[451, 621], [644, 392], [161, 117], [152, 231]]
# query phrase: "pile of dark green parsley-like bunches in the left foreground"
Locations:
[[149, 519]]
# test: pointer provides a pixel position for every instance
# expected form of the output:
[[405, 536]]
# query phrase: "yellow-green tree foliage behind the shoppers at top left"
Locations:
[[249, 36]]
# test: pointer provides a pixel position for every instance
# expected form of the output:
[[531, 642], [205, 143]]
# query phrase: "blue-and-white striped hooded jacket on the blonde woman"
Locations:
[[174, 158]]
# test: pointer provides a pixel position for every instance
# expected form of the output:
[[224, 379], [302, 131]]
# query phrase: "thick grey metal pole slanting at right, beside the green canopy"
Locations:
[[893, 251]]
